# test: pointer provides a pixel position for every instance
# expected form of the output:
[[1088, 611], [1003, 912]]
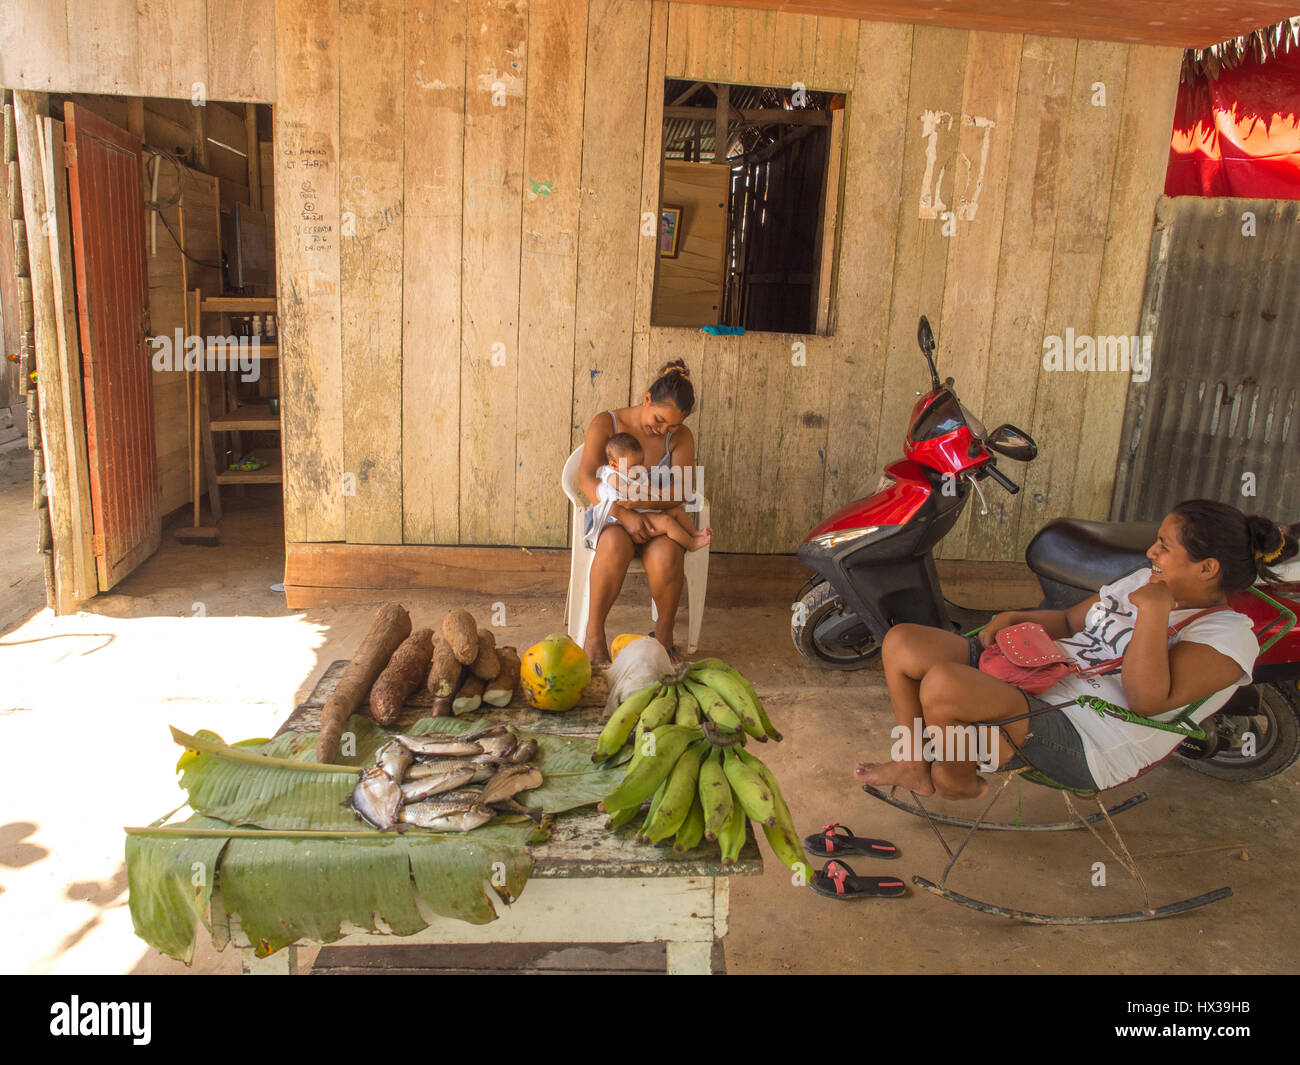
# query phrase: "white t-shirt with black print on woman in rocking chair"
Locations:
[[1116, 750]]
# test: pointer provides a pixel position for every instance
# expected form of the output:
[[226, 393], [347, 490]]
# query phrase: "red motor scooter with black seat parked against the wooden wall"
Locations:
[[874, 568]]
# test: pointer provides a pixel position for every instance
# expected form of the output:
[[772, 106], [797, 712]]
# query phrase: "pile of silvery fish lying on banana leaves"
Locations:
[[430, 781]]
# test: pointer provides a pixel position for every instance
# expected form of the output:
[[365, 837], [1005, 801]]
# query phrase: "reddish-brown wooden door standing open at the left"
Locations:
[[106, 174]]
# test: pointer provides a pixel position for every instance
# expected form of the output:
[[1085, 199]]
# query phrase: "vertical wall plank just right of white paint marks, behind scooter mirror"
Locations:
[[1025, 270]]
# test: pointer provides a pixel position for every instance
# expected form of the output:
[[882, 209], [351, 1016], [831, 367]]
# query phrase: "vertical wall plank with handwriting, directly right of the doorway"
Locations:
[[307, 267]]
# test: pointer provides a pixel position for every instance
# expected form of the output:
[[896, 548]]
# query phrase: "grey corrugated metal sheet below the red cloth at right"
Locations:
[[1221, 413]]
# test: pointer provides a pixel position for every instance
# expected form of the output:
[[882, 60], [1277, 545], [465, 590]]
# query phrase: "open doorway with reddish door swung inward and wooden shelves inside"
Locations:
[[163, 250]]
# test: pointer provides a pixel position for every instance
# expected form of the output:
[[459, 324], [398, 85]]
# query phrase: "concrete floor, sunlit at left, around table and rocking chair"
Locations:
[[198, 639]]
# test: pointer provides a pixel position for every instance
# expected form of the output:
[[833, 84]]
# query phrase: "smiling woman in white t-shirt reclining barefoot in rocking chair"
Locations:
[[1204, 553]]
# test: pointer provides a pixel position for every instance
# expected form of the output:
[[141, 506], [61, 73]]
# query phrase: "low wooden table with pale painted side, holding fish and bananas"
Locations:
[[588, 885]]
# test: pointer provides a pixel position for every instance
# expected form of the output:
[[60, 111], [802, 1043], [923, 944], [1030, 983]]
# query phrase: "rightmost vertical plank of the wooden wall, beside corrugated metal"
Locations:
[[1149, 110]]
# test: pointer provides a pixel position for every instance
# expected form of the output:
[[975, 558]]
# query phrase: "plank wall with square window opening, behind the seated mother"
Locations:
[[465, 282]]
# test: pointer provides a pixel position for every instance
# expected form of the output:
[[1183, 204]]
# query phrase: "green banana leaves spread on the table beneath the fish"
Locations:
[[294, 863]]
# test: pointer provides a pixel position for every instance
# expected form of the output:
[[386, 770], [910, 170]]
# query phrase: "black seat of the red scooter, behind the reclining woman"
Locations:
[[1089, 555]]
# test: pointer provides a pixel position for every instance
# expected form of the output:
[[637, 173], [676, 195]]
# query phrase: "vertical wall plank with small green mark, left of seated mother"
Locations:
[[548, 280]]
